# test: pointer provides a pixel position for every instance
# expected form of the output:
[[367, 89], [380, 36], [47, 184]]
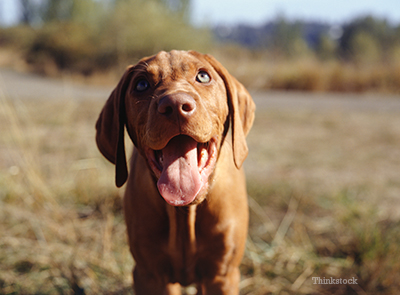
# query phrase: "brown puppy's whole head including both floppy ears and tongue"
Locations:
[[177, 108]]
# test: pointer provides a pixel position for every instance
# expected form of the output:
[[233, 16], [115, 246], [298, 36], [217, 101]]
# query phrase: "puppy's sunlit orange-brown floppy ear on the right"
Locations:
[[241, 107]]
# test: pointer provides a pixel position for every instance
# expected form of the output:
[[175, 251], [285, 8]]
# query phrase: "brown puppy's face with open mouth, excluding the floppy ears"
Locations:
[[177, 121]]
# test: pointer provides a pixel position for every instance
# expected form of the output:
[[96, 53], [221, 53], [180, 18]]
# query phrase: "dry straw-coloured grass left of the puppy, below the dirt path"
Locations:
[[60, 220]]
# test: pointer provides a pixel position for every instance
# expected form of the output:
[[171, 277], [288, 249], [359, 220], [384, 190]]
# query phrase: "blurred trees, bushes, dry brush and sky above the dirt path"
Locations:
[[297, 45]]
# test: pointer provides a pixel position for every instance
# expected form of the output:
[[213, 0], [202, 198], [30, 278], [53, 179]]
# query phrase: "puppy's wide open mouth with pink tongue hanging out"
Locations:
[[183, 168]]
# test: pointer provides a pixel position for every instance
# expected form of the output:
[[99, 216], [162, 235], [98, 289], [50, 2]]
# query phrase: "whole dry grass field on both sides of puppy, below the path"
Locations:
[[323, 186]]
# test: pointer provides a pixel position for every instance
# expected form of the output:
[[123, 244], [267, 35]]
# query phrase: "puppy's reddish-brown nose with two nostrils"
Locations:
[[180, 104]]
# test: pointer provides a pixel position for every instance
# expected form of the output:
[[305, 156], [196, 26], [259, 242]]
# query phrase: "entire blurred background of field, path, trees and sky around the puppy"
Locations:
[[323, 172]]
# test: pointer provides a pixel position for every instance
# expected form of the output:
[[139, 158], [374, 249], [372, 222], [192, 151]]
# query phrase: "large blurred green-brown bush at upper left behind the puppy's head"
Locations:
[[88, 35]]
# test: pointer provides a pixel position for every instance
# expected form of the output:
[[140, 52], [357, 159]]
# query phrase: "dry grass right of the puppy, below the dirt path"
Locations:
[[324, 191]]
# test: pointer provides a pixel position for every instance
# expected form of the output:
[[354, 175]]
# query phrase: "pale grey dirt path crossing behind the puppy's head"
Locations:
[[25, 86]]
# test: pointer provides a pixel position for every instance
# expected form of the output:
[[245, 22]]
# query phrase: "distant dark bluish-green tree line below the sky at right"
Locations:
[[362, 40]]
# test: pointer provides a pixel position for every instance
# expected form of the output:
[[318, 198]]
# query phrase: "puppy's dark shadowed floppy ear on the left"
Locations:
[[110, 127]]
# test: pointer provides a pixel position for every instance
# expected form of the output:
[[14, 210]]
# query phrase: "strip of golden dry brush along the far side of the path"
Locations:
[[256, 70]]
